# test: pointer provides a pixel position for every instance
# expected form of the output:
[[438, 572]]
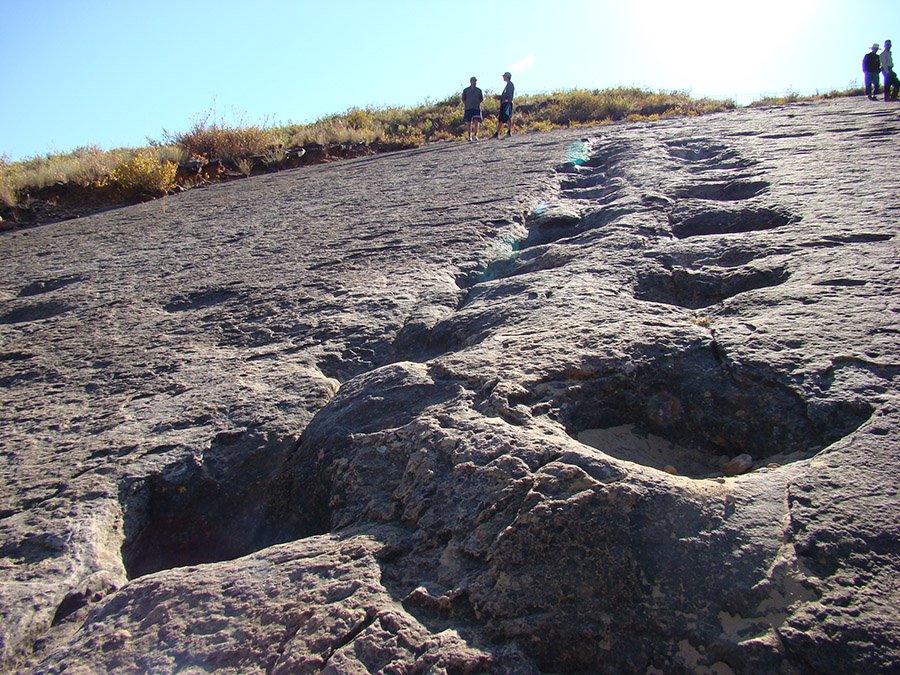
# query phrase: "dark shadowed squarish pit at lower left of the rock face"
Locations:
[[224, 505]]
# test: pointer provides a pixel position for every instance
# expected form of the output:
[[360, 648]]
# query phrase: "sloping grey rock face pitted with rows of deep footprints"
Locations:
[[608, 400]]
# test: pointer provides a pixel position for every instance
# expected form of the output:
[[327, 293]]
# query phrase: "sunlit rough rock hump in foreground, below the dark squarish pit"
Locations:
[[310, 606]]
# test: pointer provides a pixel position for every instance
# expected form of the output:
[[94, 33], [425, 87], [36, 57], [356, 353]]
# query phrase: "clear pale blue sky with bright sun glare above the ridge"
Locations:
[[114, 73]]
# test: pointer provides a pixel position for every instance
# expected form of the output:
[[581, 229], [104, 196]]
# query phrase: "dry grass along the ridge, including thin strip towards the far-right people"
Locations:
[[388, 127]]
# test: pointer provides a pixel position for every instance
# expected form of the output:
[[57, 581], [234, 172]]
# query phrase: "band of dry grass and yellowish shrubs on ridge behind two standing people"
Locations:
[[123, 175]]
